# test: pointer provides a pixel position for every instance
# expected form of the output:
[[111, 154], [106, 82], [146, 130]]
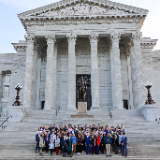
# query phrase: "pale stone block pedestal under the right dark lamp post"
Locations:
[[150, 112]]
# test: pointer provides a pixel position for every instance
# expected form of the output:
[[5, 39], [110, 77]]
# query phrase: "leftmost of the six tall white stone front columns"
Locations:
[[28, 71]]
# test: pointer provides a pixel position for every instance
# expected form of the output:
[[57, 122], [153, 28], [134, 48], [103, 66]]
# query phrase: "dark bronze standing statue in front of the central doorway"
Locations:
[[82, 87]]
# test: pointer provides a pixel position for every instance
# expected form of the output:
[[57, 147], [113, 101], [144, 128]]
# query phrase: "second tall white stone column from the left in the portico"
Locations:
[[49, 73]]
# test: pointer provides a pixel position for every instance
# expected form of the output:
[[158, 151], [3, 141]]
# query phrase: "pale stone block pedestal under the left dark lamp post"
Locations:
[[16, 112]]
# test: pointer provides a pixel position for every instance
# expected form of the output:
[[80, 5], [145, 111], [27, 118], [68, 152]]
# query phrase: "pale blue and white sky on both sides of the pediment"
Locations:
[[11, 29]]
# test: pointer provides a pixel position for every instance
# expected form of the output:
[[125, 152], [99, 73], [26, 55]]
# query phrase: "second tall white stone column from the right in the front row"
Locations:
[[117, 75]]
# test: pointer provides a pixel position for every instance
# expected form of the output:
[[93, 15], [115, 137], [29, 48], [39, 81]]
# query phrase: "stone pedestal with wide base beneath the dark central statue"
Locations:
[[82, 111]]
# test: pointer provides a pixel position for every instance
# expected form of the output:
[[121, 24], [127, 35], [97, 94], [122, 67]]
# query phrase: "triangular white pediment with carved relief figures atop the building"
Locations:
[[82, 8]]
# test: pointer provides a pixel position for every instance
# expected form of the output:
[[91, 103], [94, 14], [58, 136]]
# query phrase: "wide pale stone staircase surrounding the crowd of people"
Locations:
[[17, 139]]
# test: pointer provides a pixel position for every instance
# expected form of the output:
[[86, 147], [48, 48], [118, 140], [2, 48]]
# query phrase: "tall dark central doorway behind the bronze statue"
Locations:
[[87, 78]]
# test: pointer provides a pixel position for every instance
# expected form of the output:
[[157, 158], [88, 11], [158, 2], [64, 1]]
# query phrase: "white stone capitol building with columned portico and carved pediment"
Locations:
[[98, 39]]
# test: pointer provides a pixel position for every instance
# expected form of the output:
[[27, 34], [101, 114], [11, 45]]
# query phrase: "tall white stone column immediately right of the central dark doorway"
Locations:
[[94, 71]]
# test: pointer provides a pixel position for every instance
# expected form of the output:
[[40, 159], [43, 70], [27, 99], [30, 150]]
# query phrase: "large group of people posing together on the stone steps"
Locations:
[[95, 139]]
